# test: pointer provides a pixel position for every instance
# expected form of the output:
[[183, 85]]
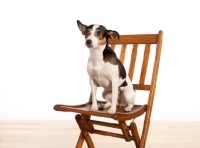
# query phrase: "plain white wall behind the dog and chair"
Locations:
[[43, 57]]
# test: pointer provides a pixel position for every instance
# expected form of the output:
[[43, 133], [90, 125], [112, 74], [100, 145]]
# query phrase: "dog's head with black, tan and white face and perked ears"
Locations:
[[96, 35]]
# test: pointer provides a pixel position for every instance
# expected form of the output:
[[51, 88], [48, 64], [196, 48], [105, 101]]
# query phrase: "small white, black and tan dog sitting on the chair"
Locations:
[[106, 70]]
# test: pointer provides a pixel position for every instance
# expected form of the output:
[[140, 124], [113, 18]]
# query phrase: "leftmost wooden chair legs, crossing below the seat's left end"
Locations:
[[84, 133]]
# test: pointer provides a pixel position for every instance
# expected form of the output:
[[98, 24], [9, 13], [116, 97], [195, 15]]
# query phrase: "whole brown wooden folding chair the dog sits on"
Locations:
[[128, 132]]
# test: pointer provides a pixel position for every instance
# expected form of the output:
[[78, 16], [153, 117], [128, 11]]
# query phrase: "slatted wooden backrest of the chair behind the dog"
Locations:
[[136, 40]]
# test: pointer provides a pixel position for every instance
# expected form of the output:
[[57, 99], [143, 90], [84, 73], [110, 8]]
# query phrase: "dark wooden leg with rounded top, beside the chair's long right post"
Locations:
[[135, 134]]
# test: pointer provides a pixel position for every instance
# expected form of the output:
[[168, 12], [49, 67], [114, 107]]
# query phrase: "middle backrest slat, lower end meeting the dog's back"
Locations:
[[133, 60]]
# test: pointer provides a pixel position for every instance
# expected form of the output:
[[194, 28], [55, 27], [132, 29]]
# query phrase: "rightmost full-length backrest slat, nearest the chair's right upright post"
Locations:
[[144, 63]]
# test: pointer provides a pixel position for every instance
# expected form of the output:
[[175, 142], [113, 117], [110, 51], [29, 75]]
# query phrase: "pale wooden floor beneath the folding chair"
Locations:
[[64, 134]]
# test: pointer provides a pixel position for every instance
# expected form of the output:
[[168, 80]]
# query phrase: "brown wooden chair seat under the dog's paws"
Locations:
[[120, 114]]
